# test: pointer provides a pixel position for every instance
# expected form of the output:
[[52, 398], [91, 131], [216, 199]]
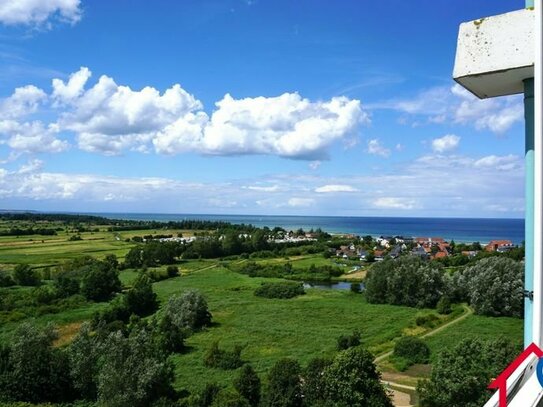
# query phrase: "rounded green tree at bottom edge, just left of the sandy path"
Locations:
[[353, 380]]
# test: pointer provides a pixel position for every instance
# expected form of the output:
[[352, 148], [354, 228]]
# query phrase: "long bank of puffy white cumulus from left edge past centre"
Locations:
[[110, 119]]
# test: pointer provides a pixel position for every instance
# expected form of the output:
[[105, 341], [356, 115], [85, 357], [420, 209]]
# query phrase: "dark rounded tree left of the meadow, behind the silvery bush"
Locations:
[[99, 283]]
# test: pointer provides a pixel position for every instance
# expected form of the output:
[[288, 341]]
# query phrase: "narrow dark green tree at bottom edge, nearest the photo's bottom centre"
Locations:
[[284, 385]]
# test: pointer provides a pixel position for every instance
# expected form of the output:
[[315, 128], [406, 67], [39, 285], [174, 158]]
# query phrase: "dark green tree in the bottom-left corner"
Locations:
[[32, 370]]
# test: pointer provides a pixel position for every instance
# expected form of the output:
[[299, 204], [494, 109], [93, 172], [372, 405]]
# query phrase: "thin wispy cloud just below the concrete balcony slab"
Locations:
[[458, 106]]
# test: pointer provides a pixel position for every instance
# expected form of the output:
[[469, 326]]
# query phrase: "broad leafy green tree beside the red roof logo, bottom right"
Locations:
[[461, 375]]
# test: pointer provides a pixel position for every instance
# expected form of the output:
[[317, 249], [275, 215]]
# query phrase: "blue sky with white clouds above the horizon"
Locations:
[[271, 107]]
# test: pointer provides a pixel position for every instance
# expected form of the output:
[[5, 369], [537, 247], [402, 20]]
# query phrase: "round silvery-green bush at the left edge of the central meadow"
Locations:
[[188, 310]]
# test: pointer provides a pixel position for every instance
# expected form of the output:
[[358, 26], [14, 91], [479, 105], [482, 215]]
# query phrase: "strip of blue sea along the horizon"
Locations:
[[459, 229]]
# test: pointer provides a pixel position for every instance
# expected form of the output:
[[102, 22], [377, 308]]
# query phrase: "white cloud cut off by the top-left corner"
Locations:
[[38, 12]]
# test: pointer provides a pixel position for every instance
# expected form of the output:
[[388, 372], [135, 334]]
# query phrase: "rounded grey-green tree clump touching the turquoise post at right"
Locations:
[[494, 286]]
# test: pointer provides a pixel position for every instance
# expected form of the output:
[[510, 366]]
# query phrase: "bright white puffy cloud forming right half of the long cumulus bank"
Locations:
[[287, 126]]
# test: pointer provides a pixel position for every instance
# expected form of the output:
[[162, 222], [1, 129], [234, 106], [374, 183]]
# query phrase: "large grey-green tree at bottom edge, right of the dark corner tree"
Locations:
[[133, 371]]
